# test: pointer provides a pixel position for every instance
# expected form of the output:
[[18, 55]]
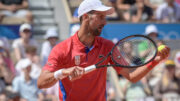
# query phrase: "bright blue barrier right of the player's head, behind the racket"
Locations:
[[118, 30]]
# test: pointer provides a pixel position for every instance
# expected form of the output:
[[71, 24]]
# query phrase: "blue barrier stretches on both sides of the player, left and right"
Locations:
[[111, 30]]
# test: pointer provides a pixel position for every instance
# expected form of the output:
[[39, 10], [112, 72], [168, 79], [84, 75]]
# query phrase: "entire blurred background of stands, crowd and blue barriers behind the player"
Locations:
[[29, 29]]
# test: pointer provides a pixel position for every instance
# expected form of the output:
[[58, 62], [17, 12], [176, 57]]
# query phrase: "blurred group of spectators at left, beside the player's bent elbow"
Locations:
[[20, 66]]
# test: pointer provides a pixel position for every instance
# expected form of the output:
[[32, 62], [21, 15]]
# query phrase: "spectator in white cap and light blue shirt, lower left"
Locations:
[[25, 85]]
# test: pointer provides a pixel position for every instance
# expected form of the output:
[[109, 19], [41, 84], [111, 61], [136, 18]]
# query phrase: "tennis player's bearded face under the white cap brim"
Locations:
[[97, 22]]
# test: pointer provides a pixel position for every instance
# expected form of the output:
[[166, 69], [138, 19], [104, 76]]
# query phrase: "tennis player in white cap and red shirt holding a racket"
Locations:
[[70, 57]]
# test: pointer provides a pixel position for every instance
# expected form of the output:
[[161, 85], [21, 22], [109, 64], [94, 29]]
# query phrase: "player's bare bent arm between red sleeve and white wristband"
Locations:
[[46, 80]]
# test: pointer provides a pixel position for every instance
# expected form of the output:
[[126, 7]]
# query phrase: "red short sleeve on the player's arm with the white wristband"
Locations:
[[54, 60]]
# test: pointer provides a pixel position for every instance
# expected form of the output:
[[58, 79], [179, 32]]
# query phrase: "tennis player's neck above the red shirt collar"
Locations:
[[86, 38]]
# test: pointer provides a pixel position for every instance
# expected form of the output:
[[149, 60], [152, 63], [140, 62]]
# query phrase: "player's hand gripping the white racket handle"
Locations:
[[74, 73]]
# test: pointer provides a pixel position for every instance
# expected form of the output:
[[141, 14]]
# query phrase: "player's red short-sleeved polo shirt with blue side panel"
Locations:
[[71, 52]]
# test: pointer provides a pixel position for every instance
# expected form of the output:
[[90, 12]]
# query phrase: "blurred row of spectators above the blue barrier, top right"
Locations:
[[161, 11]]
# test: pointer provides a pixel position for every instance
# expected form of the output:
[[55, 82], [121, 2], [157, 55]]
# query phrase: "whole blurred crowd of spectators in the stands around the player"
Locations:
[[21, 64]]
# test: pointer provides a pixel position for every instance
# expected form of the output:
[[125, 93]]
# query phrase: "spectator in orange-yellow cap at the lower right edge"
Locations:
[[168, 88]]
